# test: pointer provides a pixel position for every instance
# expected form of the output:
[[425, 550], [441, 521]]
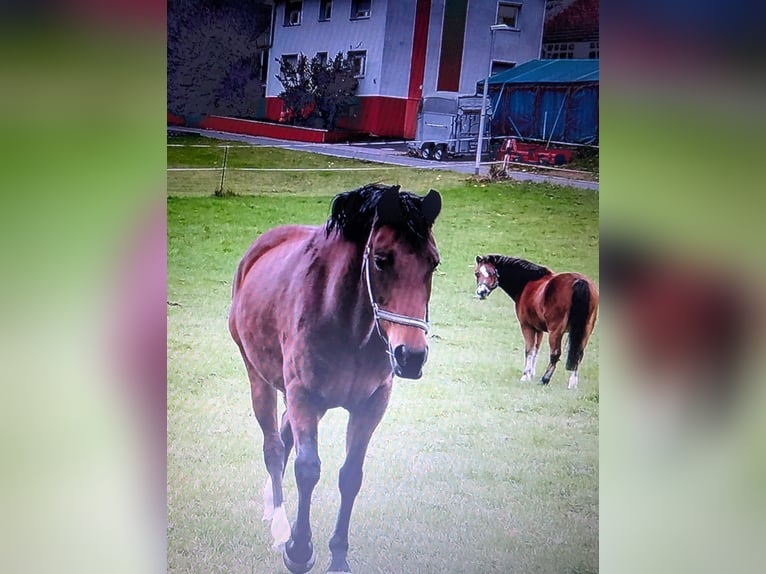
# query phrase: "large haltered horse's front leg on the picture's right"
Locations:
[[361, 424]]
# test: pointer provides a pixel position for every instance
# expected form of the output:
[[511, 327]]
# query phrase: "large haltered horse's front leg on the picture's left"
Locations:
[[303, 415]]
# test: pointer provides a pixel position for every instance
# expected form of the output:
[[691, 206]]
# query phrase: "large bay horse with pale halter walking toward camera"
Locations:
[[326, 316]]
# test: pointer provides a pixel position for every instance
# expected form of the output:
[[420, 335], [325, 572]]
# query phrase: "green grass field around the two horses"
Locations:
[[470, 470]]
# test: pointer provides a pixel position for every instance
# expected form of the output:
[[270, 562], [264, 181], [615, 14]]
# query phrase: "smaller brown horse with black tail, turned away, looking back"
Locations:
[[545, 302]]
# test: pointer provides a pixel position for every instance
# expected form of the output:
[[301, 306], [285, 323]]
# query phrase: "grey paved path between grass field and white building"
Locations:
[[388, 152]]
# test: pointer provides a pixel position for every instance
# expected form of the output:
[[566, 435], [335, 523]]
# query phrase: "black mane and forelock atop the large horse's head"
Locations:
[[353, 212]]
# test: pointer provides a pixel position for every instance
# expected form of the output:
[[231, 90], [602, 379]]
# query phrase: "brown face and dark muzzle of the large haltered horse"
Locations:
[[401, 280]]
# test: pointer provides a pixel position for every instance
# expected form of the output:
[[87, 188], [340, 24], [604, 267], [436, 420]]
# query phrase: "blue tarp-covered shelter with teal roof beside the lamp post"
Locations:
[[550, 100]]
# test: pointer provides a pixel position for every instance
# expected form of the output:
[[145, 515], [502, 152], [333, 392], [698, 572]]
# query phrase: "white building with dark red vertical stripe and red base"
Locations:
[[404, 49]]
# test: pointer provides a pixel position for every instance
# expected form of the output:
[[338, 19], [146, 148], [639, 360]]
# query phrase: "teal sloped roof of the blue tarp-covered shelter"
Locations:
[[549, 72]]
